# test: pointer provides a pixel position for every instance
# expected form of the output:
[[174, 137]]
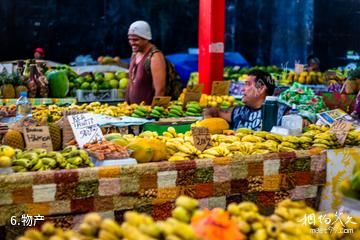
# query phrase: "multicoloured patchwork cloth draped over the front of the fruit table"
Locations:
[[64, 196]]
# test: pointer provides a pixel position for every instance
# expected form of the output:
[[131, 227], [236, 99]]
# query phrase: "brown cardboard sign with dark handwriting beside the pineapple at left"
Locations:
[[38, 137]]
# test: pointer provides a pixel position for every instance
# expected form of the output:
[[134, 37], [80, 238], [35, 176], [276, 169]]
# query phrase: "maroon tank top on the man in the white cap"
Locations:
[[141, 86]]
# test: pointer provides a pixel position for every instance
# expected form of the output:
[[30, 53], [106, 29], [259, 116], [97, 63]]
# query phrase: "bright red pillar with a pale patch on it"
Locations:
[[211, 42]]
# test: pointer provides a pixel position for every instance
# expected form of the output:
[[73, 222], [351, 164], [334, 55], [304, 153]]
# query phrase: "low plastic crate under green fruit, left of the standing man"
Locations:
[[111, 95]]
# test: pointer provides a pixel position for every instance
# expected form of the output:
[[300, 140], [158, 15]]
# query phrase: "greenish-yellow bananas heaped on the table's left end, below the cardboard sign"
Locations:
[[40, 160]]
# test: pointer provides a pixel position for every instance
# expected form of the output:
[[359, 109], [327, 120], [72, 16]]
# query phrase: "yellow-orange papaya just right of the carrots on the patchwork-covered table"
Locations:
[[142, 150]]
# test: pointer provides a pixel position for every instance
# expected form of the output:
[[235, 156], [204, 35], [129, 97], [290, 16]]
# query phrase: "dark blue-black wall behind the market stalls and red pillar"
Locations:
[[263, 31]]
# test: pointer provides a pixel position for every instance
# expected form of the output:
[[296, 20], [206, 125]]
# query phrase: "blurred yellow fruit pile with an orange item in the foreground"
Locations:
[[188, 222]]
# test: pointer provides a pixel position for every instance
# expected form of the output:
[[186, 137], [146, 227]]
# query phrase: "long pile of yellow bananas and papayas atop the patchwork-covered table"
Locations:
[[179, 146]]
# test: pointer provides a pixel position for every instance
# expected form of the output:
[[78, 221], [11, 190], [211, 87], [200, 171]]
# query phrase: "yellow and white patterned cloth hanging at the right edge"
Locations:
[[340, 163]]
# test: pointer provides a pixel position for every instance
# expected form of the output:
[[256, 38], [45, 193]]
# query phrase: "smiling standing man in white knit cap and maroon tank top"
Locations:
[[145, 81]]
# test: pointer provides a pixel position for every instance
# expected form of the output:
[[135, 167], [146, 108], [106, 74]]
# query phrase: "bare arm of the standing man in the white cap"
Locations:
[[158, 72]]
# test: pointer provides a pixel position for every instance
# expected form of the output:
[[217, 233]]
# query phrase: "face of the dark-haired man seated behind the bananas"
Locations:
[[252, 90]]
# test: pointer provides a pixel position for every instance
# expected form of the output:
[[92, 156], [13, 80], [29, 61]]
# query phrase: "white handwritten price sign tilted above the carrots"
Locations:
[[85, 128]]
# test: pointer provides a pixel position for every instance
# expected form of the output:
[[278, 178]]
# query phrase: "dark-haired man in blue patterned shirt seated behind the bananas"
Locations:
[[258, 85]]
